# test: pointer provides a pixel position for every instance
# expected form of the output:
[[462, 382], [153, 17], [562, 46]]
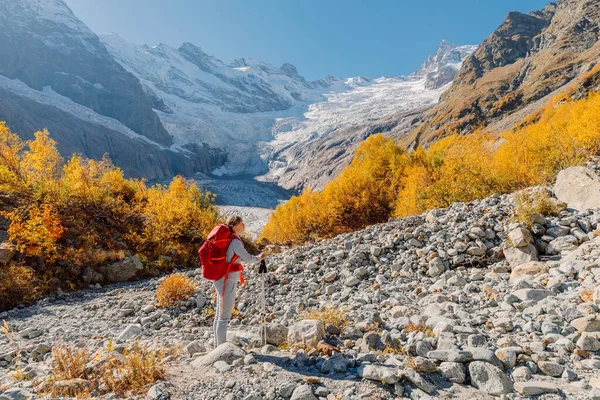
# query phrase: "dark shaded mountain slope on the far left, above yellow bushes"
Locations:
[[61, 77]]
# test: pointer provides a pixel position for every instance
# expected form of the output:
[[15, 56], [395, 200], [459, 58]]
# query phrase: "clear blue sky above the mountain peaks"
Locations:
[[320, 37]]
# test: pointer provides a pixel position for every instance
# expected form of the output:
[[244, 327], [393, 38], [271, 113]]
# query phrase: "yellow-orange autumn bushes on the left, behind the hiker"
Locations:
[[68, 218]]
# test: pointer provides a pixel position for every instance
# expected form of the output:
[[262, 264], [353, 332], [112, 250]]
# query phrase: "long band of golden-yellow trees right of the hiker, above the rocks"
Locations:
[[384, 181]]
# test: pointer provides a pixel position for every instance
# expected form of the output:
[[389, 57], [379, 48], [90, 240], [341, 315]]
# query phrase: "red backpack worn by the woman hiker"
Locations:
[[213, 252]]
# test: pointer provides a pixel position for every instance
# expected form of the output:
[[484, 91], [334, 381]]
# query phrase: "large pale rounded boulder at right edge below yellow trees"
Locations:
[[579, 187]]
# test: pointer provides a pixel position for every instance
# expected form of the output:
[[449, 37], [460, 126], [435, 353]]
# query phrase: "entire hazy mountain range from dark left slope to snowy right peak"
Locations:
[[160, 110]]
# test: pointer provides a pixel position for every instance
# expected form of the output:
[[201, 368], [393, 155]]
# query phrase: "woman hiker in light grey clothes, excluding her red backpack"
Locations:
[[226, 287]]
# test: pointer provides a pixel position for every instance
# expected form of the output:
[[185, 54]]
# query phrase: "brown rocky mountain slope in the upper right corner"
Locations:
[[529, 57]]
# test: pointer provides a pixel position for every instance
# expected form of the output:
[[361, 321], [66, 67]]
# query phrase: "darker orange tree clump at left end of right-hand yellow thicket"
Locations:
[[362, 194]]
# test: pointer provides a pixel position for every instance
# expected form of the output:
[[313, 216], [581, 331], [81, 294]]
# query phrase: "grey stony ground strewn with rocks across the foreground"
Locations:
[[459, 303]]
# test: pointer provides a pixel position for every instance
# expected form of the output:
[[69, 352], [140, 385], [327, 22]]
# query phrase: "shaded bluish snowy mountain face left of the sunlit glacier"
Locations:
[[233, 107]]
